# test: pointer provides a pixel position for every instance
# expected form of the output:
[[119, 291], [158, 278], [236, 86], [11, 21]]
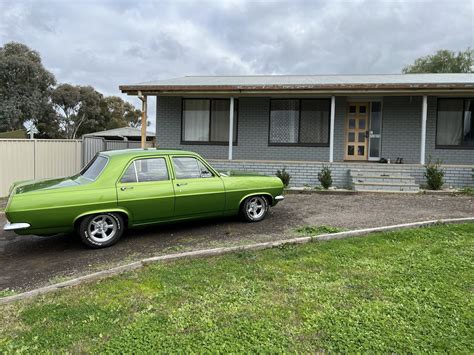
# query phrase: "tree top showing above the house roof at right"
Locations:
[[443, 61]]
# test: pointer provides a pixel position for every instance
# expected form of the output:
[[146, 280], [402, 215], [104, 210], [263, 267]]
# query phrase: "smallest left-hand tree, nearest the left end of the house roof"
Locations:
[[119, 113]]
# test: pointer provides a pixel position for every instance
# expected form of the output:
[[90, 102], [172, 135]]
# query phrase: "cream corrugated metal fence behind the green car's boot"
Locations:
[[28, 159]]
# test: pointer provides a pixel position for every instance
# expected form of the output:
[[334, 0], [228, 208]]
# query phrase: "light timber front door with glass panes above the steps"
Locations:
[[357, 123]]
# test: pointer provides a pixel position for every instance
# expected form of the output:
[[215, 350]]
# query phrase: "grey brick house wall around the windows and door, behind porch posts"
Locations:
[[401, 133]]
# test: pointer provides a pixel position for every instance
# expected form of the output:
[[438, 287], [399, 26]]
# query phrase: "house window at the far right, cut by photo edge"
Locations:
[[455, 126]]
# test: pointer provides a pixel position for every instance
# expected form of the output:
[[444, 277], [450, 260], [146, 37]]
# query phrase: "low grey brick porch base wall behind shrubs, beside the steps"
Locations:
[[306, 173]]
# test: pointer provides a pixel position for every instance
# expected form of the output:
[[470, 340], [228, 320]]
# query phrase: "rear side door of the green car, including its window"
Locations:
[[146, 190]]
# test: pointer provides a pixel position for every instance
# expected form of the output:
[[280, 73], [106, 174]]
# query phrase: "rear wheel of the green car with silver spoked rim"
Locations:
[[101, 230]]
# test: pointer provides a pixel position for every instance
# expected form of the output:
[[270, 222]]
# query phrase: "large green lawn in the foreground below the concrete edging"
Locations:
[[407, 291]]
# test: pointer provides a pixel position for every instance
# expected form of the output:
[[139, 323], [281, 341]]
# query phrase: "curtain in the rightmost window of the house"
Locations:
[[450, 117]]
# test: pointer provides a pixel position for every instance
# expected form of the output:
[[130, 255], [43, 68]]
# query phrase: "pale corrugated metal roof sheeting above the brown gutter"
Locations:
[[264, 80]]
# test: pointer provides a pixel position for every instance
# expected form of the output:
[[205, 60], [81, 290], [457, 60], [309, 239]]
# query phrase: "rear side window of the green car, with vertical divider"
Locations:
[[143, 170]]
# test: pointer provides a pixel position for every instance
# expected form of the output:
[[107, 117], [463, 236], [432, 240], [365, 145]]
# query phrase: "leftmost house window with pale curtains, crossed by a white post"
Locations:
[[207, 120]]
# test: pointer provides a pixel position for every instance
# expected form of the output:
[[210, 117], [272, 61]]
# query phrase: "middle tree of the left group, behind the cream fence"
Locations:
[[78, 109]]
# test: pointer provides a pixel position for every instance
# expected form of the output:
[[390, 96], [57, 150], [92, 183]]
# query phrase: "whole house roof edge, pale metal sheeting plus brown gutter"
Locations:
[[257, 84]]
